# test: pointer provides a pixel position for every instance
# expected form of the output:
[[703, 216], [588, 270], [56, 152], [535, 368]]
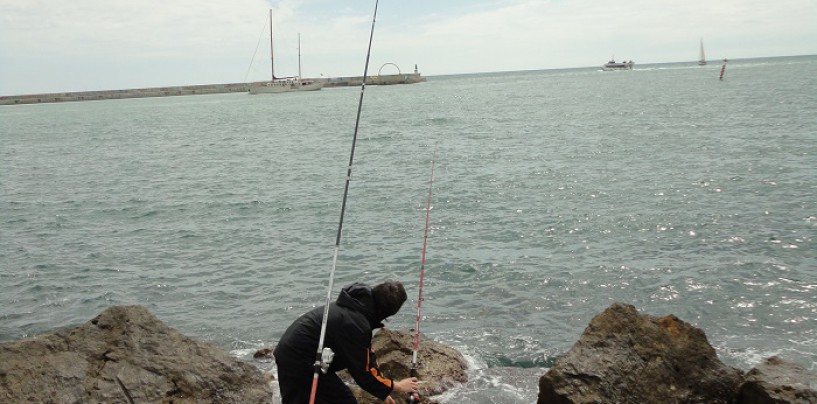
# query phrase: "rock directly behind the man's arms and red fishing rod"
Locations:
[[440, 367]]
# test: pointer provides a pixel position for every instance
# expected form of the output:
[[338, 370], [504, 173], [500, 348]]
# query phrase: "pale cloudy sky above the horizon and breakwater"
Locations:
[[85, 45]]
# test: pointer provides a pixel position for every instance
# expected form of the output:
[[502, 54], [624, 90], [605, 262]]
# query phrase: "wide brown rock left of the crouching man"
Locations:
[[125, 355]]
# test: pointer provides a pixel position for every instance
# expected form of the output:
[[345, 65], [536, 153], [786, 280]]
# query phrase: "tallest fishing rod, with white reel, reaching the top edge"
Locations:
[[322, 359]]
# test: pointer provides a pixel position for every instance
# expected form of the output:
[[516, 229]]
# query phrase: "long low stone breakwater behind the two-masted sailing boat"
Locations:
[[410, 78]]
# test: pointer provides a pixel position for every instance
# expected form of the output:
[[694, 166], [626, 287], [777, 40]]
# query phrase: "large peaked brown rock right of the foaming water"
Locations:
[[624, 357]]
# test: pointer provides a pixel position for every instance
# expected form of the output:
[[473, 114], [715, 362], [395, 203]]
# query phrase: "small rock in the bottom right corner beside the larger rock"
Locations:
[[777, 381]]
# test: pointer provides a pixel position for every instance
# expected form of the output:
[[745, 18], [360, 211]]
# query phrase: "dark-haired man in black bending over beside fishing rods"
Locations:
[[358, 311]]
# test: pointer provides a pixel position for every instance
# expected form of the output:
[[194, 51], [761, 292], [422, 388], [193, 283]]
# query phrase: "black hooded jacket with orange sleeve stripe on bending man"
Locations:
[[352, 318]]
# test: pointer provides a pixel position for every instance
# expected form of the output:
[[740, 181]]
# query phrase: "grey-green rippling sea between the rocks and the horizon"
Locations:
[[555, 194]]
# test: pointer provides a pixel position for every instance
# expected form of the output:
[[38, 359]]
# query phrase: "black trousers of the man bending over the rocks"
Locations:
[[295, 382]]
